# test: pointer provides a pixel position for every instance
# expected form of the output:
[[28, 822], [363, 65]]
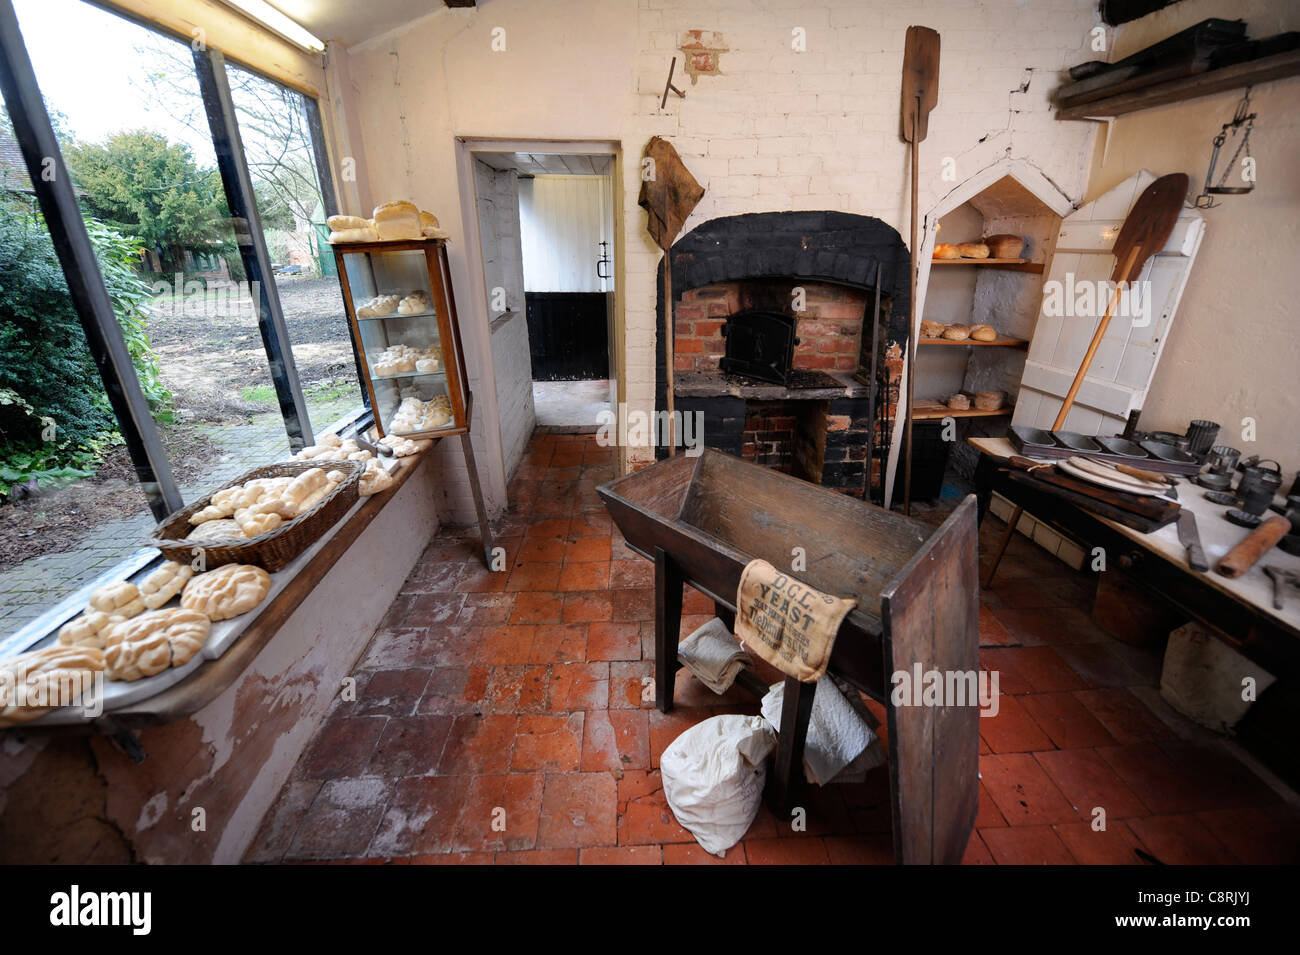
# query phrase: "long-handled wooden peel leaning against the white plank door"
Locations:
[[1143, 235]]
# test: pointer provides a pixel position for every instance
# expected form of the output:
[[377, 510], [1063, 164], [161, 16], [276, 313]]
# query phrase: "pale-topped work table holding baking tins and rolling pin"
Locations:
[[1242, 610]]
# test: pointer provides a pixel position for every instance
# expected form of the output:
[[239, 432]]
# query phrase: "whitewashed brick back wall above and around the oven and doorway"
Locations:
[[778, 131]]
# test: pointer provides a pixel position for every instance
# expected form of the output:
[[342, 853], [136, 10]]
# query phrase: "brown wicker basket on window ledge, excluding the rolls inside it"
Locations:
[[275, 549]]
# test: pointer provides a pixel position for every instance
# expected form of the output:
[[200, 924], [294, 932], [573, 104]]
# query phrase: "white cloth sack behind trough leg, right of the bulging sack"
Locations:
[[838, 733]]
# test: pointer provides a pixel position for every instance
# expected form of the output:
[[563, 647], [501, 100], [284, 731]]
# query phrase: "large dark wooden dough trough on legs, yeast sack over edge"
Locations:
[[703, 519]]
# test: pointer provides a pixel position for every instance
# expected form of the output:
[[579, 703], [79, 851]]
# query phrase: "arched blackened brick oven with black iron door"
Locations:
[[773, 341]]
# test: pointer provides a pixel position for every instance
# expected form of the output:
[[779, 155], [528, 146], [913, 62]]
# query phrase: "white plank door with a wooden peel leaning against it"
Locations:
[[1126, 359]]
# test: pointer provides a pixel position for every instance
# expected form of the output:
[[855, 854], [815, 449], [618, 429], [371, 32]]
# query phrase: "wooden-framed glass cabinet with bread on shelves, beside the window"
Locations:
[[404, 319]]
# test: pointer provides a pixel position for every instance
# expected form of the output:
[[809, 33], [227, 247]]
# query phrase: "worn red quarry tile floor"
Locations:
[[504, 718]]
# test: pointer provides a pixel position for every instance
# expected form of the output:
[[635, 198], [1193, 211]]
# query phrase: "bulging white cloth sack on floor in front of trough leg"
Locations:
[[713, 776]]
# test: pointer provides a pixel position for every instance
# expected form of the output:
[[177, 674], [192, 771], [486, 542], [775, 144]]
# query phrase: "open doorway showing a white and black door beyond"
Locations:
[[547, 224]]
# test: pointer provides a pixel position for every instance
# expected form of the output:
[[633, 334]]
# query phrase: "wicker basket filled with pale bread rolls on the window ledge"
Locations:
[[265, 518]]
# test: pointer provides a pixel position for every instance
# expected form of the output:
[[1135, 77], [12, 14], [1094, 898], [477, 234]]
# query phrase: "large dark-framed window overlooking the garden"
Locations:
[[140, 150]]
